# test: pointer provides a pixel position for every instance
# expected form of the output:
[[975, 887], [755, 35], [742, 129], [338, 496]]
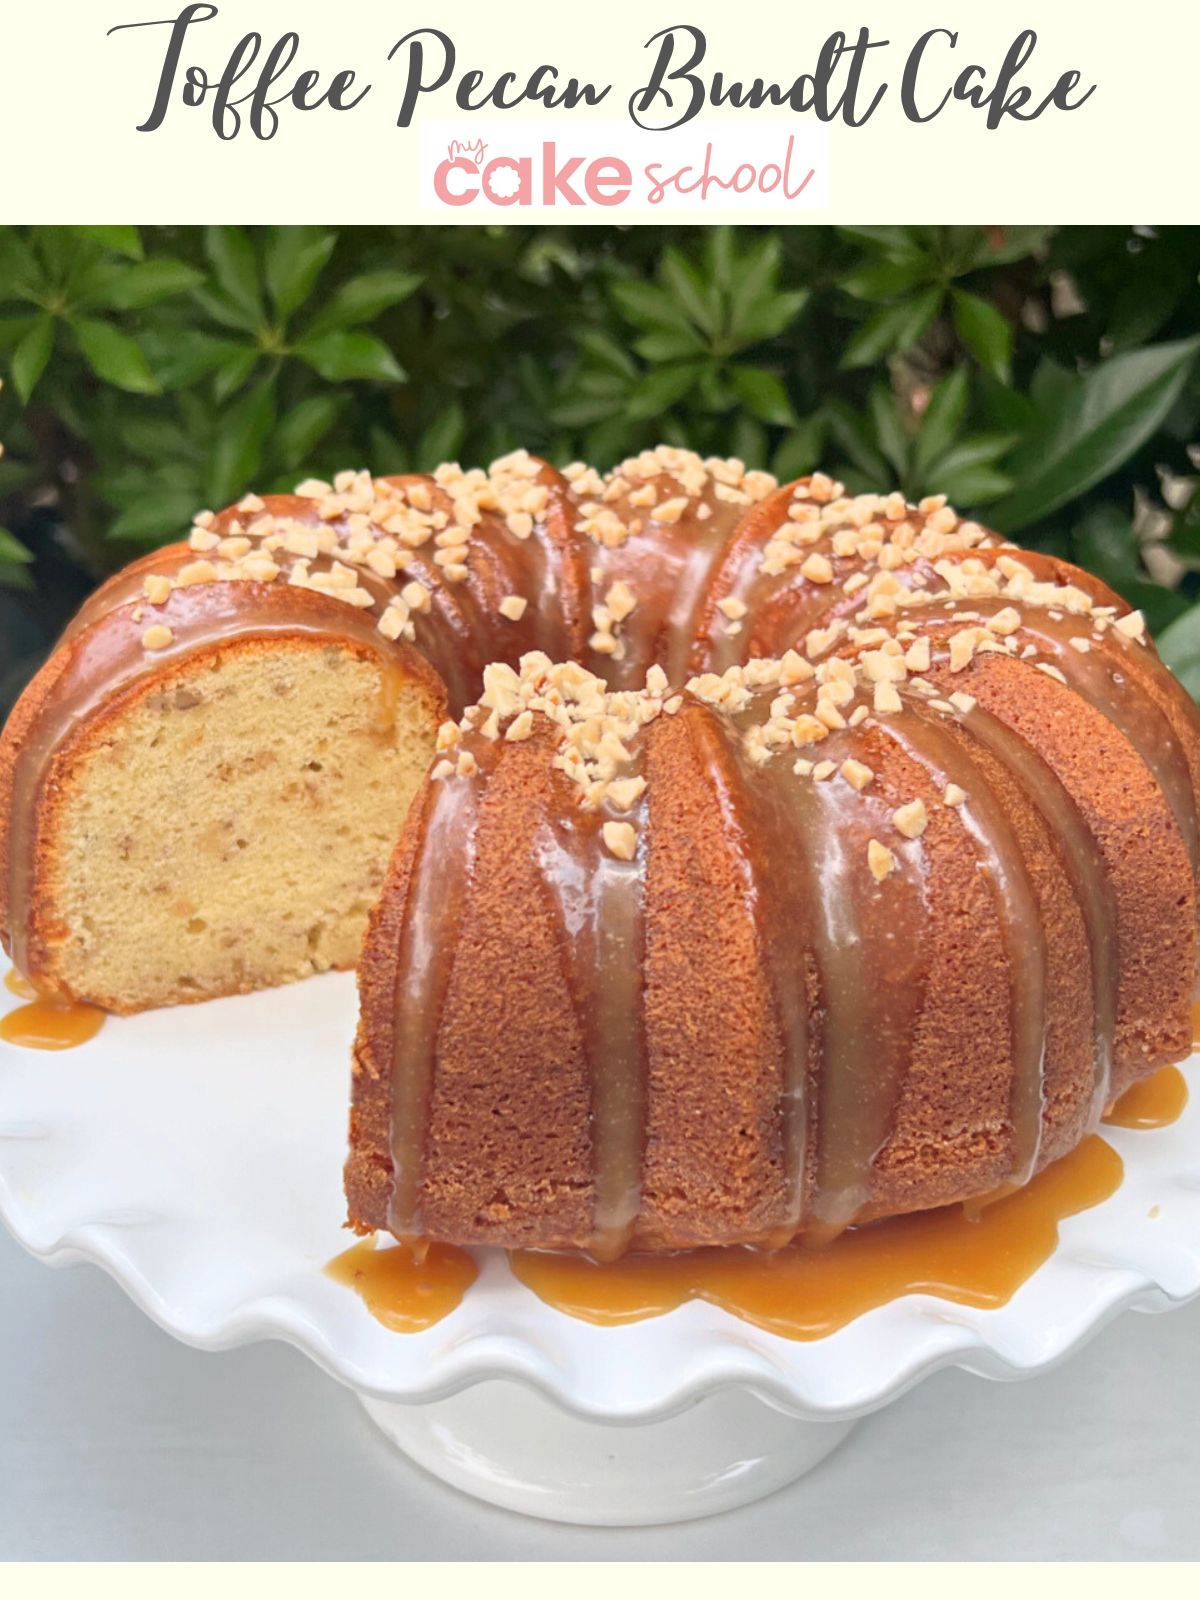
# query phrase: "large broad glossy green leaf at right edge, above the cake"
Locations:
[[1102, 420]]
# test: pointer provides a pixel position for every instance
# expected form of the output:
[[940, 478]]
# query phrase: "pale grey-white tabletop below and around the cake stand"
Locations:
[[116, 1442]]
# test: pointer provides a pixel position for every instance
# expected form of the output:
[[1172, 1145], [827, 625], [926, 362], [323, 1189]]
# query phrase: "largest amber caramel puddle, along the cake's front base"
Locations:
[[802, 1294]]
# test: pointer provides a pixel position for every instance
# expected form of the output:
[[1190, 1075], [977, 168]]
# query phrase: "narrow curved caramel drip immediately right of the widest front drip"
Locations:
[[1022, 930]]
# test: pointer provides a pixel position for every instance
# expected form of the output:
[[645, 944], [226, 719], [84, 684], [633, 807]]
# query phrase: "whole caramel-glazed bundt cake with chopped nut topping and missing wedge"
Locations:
[[777, 858]]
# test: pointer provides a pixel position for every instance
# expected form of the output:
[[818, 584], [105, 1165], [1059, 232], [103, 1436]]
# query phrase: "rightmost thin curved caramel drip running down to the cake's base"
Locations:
[[1087, 874]]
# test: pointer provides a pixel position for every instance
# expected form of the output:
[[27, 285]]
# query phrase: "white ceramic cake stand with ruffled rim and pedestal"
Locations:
[[196, 1156]]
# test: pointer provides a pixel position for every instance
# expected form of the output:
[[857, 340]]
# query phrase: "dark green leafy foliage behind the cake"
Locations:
[[1047, 380]]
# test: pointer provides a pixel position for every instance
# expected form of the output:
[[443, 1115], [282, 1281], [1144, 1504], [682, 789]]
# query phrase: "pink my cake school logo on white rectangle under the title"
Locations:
[[610, 166]]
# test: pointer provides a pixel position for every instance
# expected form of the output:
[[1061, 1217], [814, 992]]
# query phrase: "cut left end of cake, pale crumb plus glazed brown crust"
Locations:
[[222, 822]]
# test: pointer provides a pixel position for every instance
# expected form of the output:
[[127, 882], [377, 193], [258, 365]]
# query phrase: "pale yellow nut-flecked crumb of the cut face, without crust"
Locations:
[[226, 828]]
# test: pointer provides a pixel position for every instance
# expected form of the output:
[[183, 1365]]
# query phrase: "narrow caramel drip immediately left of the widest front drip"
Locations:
[[778, 900]]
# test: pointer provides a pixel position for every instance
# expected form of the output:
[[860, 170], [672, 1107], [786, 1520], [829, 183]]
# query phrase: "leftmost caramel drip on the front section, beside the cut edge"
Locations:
[[438, 894]]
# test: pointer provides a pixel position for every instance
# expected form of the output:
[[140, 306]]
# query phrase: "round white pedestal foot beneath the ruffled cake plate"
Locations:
[[511, 1447]]
